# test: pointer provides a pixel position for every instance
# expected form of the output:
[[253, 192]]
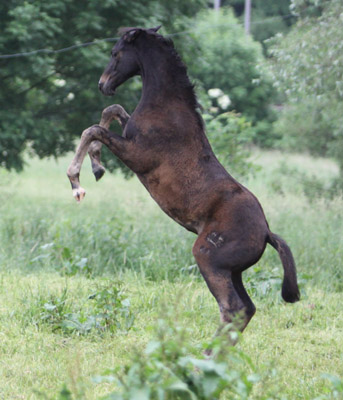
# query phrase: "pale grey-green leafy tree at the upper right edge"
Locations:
[[307, 68]]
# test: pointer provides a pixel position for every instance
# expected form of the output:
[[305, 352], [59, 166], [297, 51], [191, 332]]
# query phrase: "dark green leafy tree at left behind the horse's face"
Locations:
[[47, 99]]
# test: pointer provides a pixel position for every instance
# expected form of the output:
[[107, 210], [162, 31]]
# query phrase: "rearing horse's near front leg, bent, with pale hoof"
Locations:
[[117, 144]]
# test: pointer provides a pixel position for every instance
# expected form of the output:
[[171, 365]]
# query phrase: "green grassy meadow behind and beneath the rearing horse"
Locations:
[[62, 264]]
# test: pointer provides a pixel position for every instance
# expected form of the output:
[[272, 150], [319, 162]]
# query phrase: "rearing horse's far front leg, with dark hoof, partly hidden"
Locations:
[[114, 112]]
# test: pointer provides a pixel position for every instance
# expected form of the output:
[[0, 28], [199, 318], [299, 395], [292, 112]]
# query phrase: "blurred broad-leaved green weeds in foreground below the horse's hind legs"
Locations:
[[167, 370]]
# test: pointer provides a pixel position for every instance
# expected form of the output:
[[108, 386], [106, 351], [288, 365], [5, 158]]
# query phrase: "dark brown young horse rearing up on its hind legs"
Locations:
[[165, 144]]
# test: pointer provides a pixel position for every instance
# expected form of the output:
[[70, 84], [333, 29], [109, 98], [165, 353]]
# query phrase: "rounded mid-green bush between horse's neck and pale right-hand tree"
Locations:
[[226, 58]]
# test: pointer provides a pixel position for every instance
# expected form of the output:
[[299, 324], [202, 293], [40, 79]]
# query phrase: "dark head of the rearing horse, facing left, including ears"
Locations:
[[124, 61]]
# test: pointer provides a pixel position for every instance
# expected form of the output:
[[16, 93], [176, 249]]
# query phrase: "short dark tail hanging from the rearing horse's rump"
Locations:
[[290, 291]]
